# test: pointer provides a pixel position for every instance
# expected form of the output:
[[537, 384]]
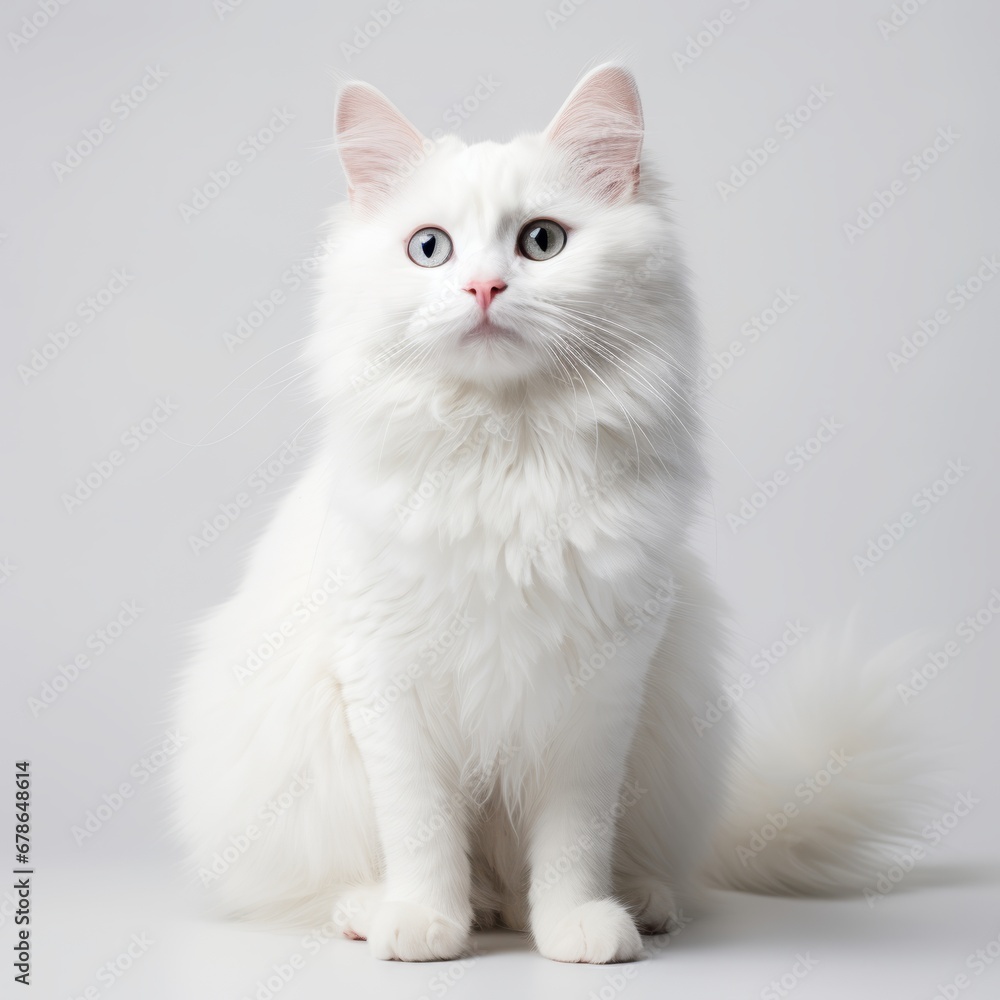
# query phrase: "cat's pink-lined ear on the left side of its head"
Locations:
[[377, 145]]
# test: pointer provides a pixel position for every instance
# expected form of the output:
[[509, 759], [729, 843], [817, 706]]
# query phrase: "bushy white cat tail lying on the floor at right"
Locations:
[[833, 774]]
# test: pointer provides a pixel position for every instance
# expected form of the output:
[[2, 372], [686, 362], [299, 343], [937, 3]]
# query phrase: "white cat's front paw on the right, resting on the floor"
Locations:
[[597, 932]]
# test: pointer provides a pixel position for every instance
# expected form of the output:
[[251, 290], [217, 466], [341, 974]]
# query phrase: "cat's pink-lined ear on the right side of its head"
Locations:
[[600, 127]]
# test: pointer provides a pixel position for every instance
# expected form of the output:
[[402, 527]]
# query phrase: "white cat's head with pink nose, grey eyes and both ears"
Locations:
[[491, 263]]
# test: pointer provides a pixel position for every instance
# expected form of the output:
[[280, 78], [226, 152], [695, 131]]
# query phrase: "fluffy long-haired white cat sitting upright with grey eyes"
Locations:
[[459, 682]]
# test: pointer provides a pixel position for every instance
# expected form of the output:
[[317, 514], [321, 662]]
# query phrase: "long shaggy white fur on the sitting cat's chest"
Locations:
[[510, 565]]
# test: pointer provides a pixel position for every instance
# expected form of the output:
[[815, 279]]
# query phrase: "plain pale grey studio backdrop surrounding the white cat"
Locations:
[[66, 232]]
